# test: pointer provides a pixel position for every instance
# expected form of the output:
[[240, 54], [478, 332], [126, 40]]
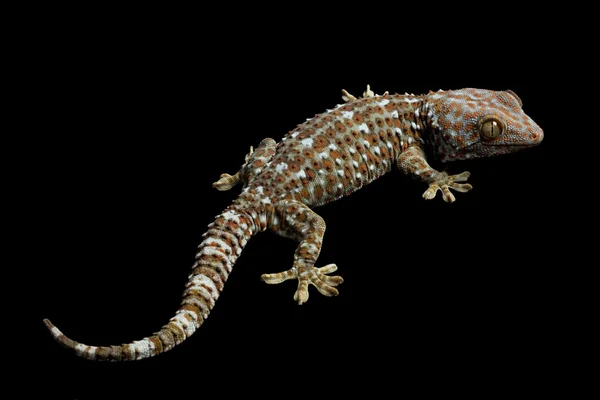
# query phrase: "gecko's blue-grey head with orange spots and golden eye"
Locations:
[[473, 123]]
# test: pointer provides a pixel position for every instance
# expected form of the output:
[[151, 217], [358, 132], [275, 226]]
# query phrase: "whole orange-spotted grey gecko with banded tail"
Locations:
[[322, 160]]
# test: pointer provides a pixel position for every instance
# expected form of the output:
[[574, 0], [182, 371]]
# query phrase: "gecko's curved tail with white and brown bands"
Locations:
[[219, 250]]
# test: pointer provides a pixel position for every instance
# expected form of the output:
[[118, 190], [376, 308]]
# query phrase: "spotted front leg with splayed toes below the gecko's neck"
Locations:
[[412, 161]]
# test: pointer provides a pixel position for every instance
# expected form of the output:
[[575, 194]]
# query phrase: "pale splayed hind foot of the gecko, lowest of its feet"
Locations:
[[314, 276]]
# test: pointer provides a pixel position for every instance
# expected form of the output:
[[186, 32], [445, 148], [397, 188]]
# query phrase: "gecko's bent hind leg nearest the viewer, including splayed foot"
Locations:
[[295, 220]]
